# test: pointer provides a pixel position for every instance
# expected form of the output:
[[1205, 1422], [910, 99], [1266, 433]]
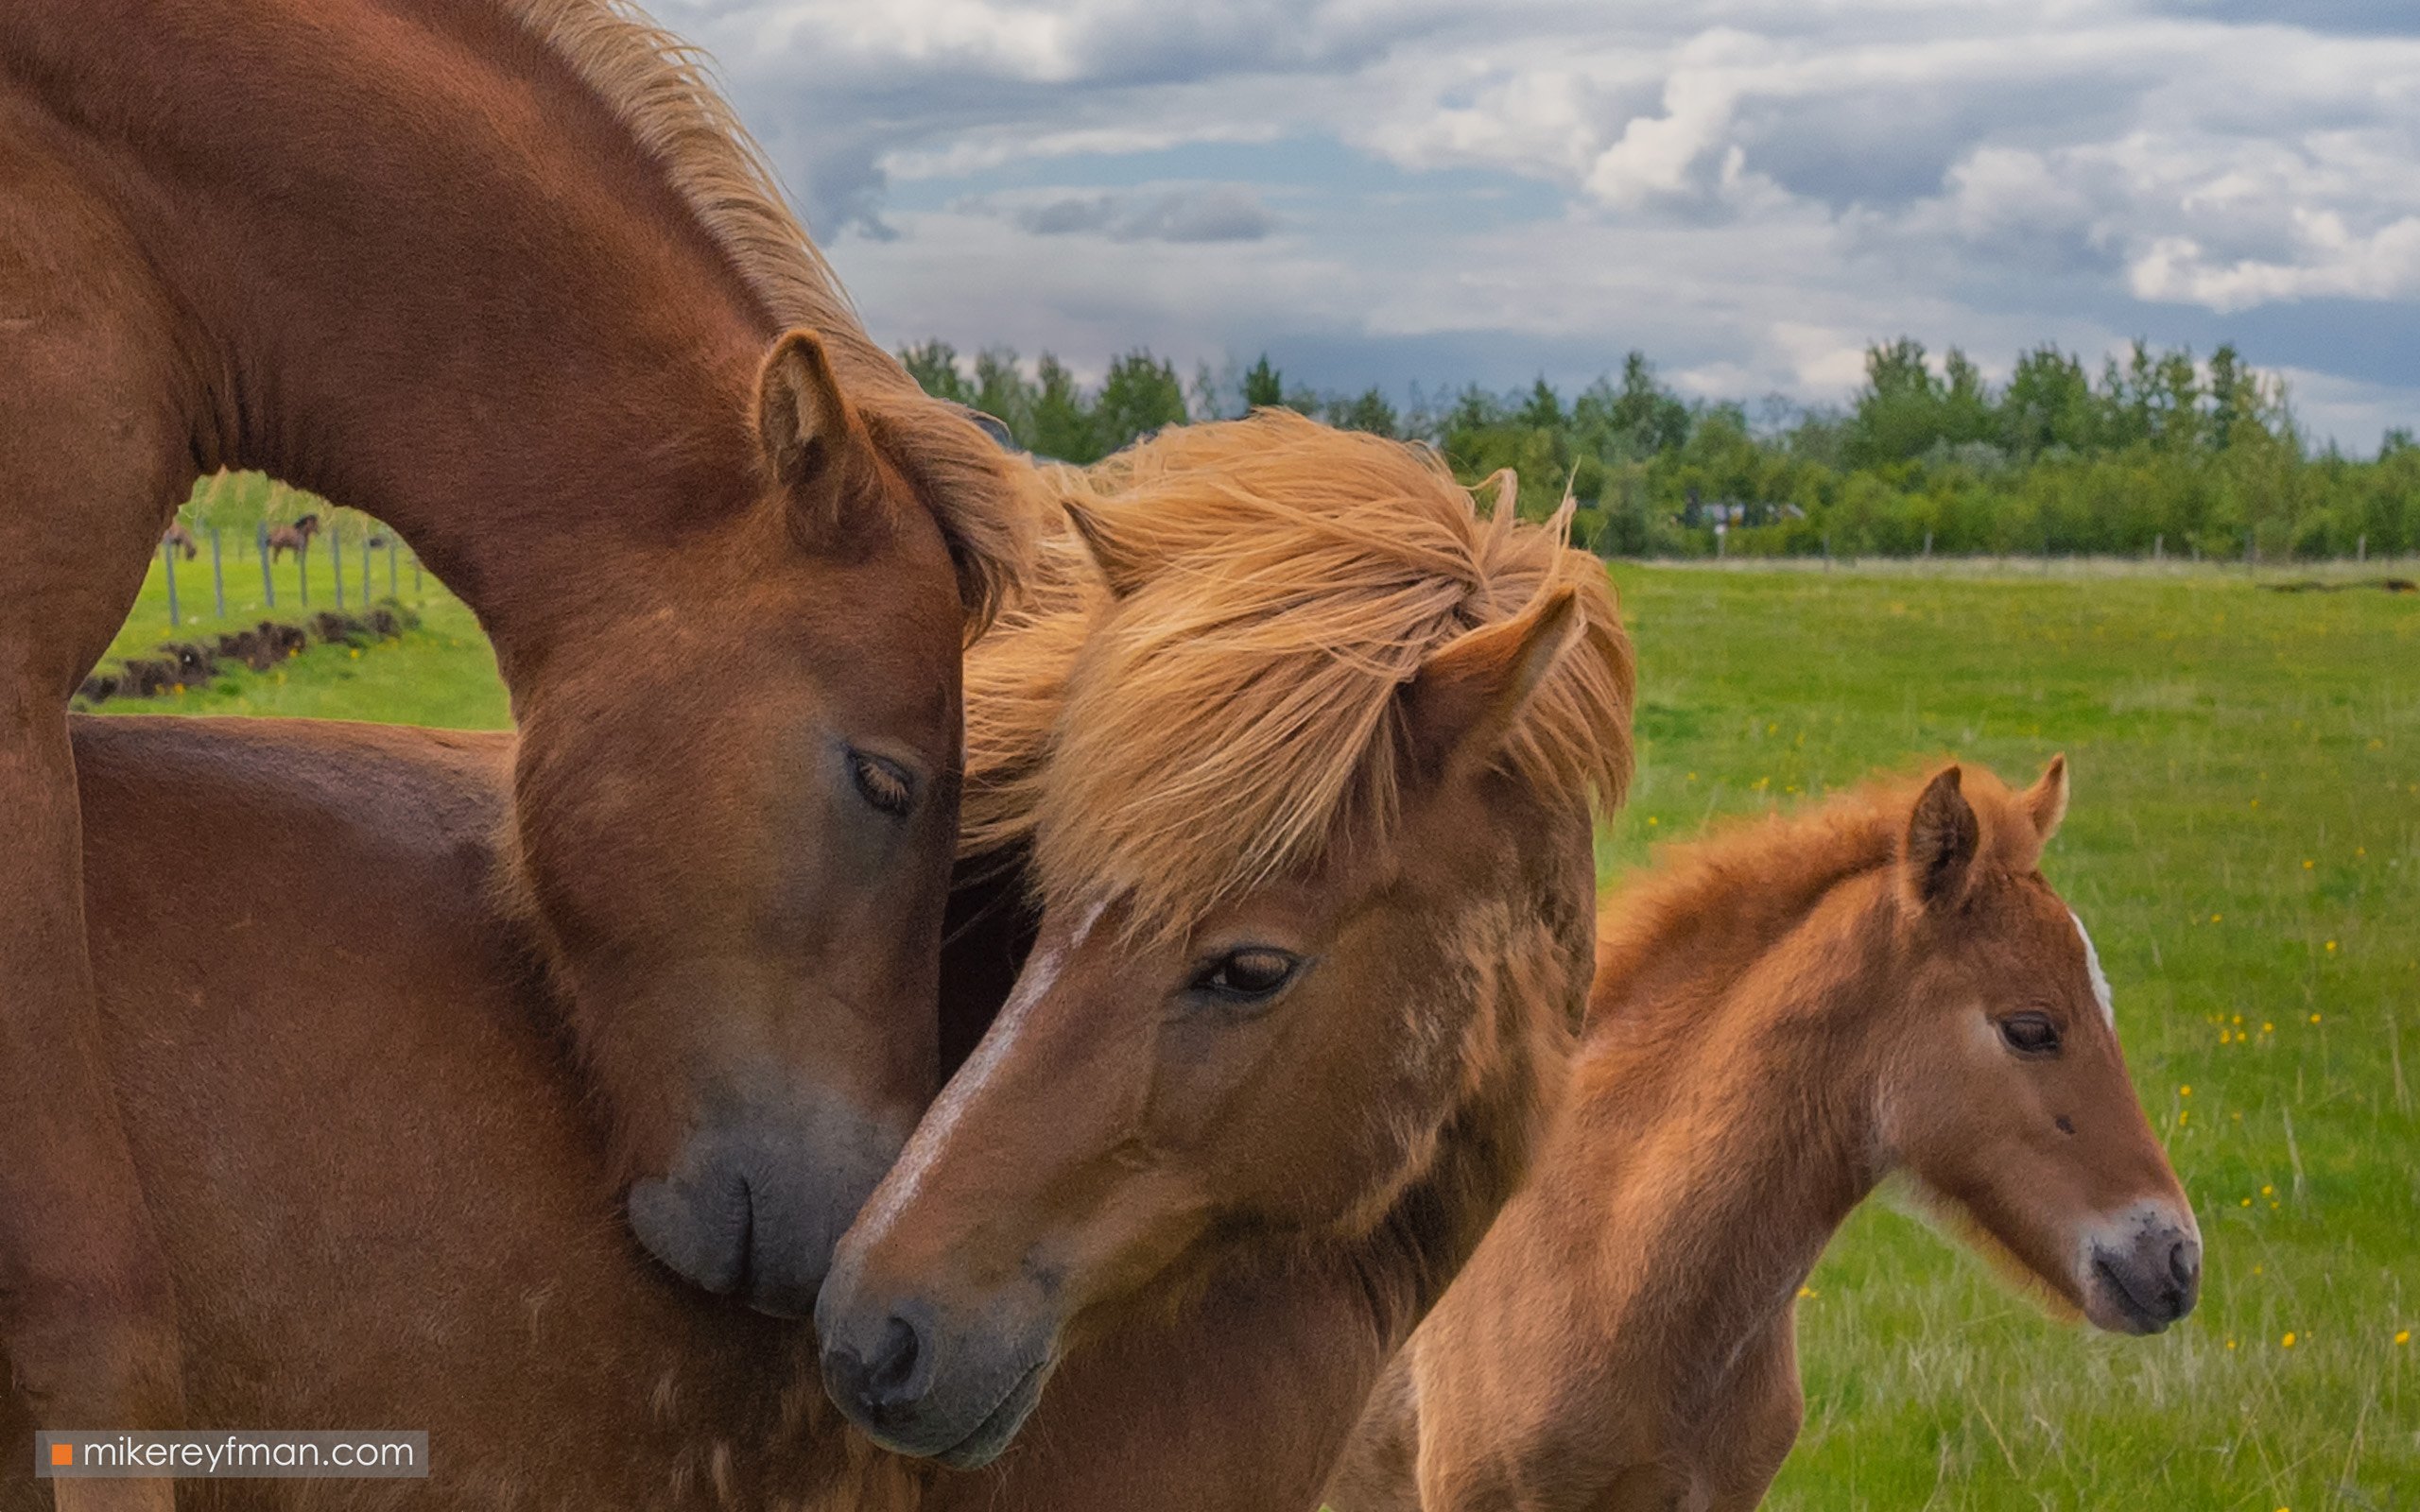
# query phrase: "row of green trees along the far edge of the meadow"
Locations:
[[2153, 454]]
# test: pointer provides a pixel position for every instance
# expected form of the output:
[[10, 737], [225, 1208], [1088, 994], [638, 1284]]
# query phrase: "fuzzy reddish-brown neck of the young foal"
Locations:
[[1717, 1143]]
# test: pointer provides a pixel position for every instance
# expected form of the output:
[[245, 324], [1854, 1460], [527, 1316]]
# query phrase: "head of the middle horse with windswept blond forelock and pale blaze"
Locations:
[[1308, 816]]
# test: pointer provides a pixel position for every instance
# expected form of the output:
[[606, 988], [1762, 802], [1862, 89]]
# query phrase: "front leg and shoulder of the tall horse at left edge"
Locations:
[[96, 458]]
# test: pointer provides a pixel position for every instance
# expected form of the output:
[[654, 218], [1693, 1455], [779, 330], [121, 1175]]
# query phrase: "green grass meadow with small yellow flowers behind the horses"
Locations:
[[2247, 846]]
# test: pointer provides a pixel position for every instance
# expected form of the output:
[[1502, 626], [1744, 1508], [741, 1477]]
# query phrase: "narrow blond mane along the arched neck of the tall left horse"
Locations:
[[664, 96]]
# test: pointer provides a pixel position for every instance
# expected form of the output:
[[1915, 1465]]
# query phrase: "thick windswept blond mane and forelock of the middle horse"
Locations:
[[1209, 696]]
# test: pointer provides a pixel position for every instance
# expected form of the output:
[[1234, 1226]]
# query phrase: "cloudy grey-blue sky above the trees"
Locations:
[[1748, 190]]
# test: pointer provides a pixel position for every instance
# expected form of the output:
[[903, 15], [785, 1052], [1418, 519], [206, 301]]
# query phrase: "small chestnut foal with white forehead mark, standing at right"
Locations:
[[1780, 1022]]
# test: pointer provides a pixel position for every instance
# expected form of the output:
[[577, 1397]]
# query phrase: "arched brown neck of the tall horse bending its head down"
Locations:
[[425, 272]]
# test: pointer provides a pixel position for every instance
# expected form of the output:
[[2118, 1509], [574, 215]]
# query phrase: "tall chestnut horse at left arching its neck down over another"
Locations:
[[509, 277]]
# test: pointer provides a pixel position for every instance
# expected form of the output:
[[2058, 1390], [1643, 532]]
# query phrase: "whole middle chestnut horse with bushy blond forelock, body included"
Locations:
[[437, 1247]]
